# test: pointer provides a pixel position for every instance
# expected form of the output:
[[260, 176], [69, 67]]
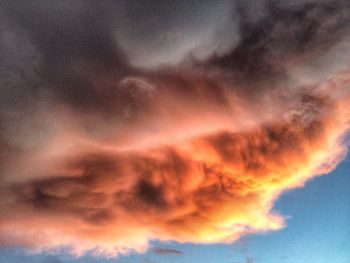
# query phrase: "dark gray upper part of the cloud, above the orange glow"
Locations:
[[73, 50]]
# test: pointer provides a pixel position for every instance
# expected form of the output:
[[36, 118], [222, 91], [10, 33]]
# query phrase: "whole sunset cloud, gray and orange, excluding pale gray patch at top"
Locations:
[[98, 155]]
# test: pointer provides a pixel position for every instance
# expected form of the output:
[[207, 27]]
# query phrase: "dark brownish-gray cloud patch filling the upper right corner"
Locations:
[[281, 35]]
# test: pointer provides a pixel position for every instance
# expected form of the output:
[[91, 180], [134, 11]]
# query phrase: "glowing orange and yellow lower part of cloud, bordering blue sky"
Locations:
[[205, 167]]
